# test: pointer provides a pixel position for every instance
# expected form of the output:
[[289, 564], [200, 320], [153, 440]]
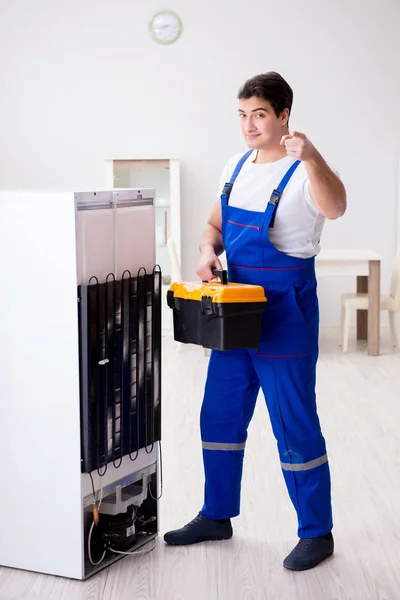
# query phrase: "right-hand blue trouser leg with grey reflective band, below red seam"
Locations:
[[289, 387]]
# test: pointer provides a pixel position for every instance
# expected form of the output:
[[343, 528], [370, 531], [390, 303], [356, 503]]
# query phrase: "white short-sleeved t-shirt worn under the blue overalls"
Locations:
[[298, 223]]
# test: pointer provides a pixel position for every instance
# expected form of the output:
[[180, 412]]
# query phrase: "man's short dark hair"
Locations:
[[270, 87]]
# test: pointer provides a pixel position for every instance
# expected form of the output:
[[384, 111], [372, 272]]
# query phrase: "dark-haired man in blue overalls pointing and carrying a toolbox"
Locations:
[[269, 218]]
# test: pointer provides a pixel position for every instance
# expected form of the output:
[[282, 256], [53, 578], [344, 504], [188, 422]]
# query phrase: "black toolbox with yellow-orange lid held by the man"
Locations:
[[217, 315]]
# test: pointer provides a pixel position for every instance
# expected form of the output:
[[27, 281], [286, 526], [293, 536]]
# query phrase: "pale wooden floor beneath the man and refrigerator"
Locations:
[[359, 407]]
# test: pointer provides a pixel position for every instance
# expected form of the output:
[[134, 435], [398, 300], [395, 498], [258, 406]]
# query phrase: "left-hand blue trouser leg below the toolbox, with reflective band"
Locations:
[[229, 399]]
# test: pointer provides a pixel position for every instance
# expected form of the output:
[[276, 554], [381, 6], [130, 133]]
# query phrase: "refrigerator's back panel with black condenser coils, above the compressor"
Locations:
[[119, 298]]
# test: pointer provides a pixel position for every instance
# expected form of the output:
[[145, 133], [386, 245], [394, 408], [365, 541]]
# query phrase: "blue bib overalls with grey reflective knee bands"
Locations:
[[284, 366]]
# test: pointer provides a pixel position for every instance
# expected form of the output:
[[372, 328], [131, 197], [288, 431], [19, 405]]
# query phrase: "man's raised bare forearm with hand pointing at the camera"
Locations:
[[326, 190]]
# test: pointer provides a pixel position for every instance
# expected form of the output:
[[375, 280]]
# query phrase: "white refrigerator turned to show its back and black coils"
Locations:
[[80, 379]]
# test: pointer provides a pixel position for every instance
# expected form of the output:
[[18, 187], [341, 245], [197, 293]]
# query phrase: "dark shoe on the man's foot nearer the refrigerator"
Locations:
[[200, 529]]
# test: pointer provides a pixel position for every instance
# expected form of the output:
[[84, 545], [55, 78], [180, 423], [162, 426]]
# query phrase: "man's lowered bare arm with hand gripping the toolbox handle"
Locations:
[[211, 245]]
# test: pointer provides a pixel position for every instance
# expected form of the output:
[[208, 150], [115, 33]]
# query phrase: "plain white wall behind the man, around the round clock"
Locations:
[[82, 81]]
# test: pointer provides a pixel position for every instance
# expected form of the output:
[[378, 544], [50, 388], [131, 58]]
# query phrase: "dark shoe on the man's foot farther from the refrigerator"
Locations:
[[309, 552]]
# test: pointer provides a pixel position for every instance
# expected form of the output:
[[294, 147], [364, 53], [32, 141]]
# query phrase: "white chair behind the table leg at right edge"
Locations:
[[391, 303]]
